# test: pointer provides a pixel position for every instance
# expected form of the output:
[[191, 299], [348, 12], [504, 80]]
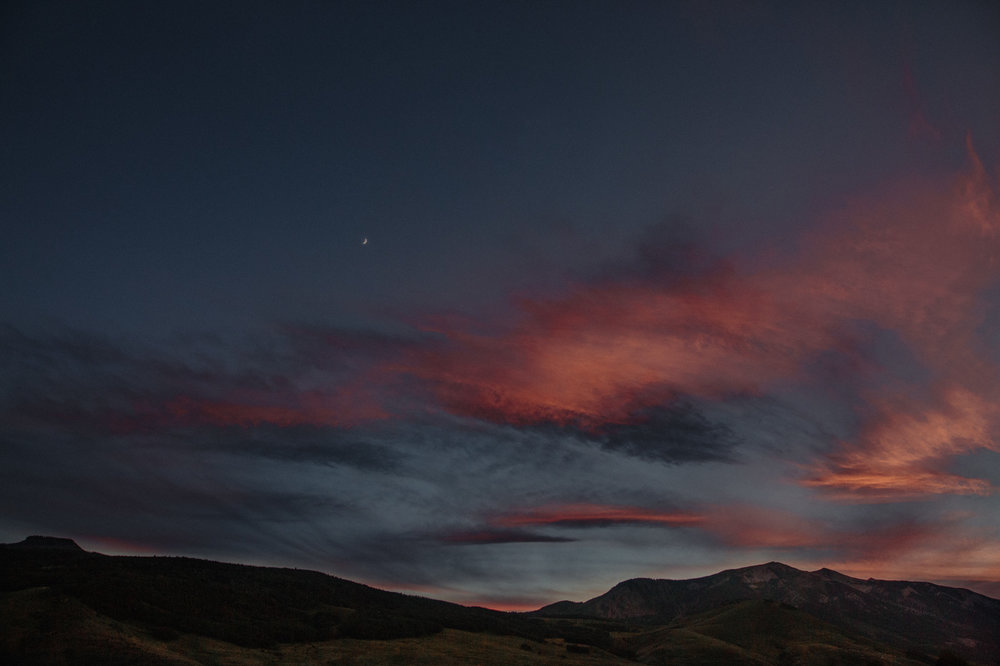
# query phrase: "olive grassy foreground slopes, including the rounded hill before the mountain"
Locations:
[[43, 626]]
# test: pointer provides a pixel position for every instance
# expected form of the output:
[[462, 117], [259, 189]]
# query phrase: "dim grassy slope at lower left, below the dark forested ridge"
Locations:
[[42, 626]]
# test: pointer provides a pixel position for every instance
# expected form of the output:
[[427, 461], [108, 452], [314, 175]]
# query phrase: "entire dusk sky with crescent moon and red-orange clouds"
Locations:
[[505, 302]]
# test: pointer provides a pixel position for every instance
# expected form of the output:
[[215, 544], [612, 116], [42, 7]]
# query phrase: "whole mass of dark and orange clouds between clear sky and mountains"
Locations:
[[855, 369]]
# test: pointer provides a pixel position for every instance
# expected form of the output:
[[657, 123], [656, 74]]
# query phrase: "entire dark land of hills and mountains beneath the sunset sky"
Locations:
[[62, 605]]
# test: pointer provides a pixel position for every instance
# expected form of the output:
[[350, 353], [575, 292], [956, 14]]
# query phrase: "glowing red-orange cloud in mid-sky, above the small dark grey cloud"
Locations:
[[596, 355]]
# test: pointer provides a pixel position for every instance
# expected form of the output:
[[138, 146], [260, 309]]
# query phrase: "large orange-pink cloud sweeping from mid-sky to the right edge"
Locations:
[[913, 261]]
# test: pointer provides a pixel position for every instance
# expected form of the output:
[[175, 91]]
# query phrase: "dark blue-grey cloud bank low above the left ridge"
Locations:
[[67, 485]]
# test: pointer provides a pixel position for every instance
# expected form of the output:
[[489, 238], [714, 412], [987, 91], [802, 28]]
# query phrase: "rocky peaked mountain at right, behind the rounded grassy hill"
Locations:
[[920, 617]]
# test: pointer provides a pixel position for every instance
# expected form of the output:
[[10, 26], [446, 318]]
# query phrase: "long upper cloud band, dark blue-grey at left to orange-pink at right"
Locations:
[[881, 310]]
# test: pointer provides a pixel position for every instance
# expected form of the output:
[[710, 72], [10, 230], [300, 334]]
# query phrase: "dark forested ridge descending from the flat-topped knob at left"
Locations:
[[245, 605]]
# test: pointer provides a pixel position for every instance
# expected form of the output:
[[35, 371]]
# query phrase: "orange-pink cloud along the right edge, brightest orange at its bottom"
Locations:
[[919, 267]]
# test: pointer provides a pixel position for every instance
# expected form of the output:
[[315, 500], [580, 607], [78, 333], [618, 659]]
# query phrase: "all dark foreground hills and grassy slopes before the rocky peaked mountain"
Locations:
[[85, 608]]
